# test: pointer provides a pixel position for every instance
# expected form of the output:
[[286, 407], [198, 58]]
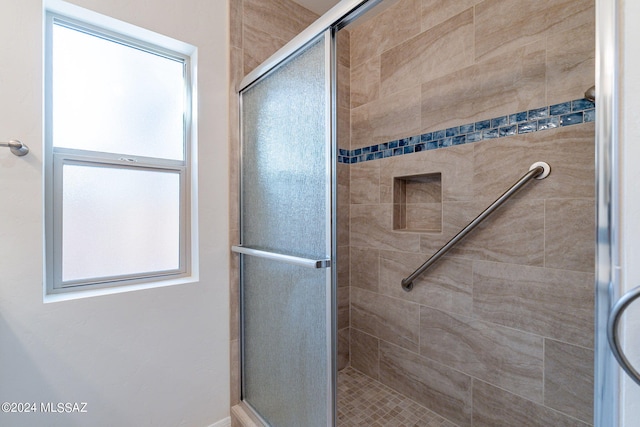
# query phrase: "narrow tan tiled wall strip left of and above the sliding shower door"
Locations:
[[258, 28]]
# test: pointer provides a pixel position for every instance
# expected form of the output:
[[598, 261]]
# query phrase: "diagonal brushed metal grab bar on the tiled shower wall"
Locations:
[[538, 170]]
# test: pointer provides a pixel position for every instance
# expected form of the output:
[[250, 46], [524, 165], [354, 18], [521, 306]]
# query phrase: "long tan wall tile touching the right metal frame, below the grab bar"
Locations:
[[548, 302]]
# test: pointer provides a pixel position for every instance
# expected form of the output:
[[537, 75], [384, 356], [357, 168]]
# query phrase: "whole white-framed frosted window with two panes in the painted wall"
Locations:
[[117, 159]]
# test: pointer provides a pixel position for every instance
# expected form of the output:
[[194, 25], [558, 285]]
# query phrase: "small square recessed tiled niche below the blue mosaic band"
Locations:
[[417, 203]]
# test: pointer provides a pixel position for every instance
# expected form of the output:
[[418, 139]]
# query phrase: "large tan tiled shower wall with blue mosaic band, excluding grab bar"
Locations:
[[450, 105]]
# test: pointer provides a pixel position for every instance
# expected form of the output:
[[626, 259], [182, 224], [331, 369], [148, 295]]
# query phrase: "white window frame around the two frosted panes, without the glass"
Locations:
[[56, 157]]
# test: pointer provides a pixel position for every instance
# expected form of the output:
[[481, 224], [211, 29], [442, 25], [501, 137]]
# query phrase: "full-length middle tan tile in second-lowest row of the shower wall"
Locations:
[[507, 358]]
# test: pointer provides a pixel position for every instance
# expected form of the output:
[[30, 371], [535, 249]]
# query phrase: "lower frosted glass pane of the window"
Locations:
[[119, 221]]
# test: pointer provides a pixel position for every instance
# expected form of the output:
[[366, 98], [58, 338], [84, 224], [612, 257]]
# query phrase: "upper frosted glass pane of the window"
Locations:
[[114, 98]]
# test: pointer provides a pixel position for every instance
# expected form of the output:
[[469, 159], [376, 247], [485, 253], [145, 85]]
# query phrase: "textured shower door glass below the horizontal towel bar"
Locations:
[[285, 368]]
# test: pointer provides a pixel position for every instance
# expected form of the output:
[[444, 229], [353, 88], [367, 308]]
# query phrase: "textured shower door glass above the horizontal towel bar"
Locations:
[[285, 169]]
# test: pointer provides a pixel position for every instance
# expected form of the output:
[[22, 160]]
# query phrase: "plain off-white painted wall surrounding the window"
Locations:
[[149, 357]]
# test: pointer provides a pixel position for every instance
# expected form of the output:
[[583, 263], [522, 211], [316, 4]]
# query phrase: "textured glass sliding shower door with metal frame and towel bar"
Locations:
[[286, 233]]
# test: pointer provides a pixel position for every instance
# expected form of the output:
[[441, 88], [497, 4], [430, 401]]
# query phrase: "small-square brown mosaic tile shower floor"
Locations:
[[363, 401]]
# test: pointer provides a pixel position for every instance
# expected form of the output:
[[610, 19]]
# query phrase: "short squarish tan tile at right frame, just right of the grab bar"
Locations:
[[569, 234]]
